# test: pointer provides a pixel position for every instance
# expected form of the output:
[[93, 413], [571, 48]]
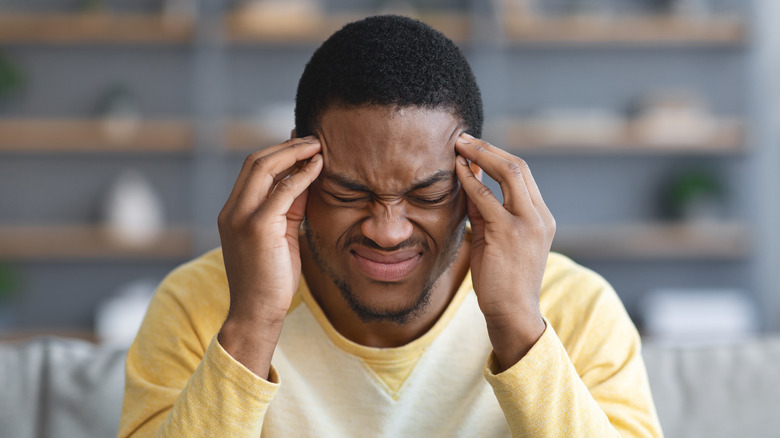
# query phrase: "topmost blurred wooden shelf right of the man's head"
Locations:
[[624, 31]]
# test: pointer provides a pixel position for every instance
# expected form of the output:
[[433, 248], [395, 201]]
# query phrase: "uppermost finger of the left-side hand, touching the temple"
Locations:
[[269, 170]]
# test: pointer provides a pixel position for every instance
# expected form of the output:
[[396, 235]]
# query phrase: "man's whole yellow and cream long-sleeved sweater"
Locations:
[[583, 378]]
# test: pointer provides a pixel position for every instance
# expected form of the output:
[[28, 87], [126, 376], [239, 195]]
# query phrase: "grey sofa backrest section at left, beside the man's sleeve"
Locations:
[[55, 387]]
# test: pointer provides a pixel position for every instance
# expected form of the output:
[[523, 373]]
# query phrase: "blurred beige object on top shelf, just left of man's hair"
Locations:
[[282, 18]]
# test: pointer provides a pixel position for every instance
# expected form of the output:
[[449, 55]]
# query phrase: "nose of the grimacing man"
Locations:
[[388, 225]]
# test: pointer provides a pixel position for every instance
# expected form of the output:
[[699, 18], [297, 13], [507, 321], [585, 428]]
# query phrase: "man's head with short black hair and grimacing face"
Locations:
[[388, 97]]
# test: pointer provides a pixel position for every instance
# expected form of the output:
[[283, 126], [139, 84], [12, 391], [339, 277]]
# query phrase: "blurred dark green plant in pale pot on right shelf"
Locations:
[[695, 196]]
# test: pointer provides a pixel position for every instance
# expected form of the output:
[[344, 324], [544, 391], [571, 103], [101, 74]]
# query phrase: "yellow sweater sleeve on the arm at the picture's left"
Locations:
[[179, 380]]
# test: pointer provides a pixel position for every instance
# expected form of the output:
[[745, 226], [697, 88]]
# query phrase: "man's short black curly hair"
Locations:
[[388, 60]]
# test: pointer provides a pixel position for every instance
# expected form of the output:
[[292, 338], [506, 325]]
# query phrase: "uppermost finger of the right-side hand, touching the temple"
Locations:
[[508, 173]]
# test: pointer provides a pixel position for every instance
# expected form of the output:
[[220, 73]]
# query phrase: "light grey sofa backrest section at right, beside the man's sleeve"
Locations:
[[725, 390]]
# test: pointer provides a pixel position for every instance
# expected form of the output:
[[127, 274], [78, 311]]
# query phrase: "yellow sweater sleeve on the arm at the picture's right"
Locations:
[[588, 380]]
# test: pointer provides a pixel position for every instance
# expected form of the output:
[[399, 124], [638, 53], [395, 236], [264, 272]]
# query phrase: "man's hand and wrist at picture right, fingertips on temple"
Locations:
[[509, 247]]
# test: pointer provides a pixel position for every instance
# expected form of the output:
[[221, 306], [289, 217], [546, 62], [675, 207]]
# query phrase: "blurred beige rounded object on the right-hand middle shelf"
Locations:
[[673, 119]]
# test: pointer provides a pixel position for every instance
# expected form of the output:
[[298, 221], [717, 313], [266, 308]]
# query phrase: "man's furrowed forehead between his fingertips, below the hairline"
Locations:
[[388, 147]]
